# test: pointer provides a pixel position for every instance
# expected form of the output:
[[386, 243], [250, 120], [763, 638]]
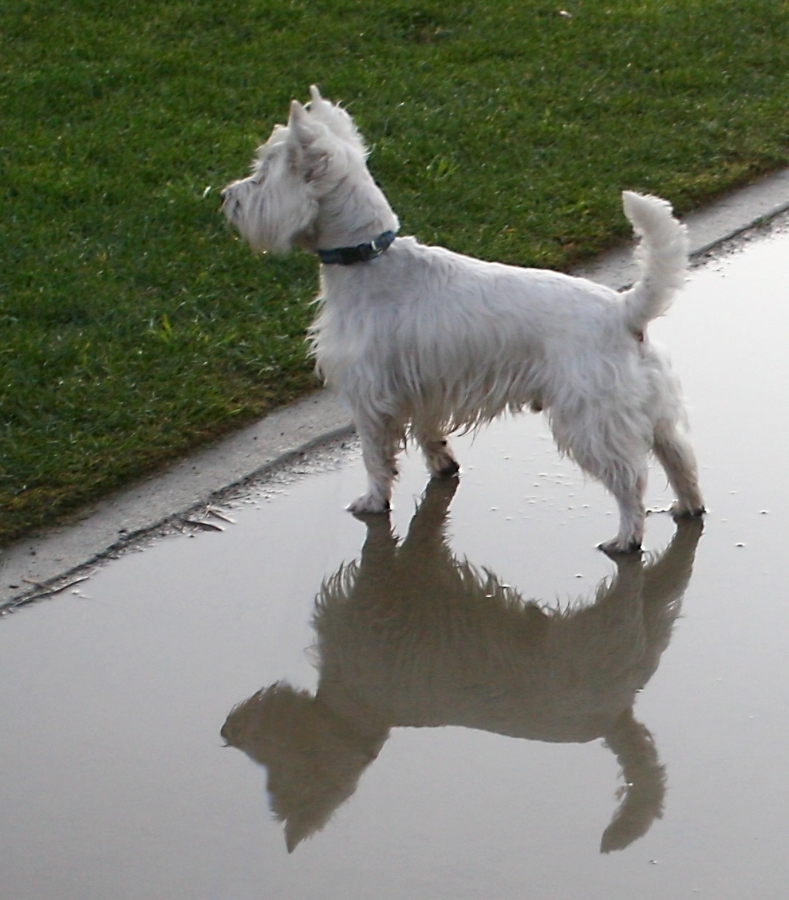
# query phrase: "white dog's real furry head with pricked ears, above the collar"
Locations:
[[279, 206]]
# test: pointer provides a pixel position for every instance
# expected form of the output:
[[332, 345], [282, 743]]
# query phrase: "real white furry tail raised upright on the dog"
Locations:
[[662, 255]]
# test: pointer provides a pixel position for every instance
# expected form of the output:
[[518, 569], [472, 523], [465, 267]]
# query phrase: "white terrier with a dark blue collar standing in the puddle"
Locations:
[[422, 342]]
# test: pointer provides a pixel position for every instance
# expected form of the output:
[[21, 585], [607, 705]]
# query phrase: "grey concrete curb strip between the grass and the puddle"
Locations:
[[31, 566]]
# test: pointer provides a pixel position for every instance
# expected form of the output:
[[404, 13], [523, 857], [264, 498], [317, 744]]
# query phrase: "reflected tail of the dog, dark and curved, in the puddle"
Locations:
[[645, 778]]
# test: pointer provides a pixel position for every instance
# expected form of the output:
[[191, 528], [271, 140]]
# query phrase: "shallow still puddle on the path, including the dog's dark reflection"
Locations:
[[450, 708]]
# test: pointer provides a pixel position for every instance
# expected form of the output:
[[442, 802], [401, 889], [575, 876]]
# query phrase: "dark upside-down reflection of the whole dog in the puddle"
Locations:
[[412, 636]]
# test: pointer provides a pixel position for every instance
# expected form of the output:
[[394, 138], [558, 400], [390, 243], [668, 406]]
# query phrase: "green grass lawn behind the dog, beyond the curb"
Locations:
[[133, 325]]
